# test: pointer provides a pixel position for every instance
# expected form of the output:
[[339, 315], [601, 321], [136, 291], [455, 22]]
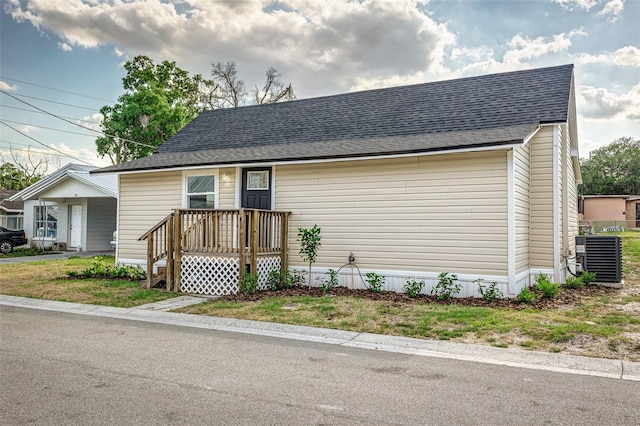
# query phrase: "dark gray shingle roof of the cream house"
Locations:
[[489, 110]]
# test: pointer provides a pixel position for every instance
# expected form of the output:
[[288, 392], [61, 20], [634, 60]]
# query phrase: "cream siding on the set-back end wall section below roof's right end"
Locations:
[[541, 199]]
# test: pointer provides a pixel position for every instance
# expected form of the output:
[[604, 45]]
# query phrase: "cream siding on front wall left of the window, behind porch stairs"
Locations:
[[145, 199]]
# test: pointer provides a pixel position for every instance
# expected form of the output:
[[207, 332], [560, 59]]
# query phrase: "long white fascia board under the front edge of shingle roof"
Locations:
[[324, 160]]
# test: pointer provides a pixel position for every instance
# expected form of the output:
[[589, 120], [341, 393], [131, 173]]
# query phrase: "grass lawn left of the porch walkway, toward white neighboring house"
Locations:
[[48, 280]]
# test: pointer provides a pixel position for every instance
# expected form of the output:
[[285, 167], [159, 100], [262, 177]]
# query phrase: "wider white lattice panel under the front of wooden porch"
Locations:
[[212, 276]]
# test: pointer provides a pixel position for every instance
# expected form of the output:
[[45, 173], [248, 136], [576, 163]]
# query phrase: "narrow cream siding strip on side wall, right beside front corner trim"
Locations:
[[522, 206]]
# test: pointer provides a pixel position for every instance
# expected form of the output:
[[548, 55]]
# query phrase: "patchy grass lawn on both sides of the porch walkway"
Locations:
[[604, 323]]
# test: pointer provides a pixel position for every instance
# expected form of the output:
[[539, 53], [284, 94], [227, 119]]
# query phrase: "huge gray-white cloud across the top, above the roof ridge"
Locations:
[[336, 44]]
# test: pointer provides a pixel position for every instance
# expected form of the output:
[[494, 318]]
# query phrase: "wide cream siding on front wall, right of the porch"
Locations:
[[431, 213]]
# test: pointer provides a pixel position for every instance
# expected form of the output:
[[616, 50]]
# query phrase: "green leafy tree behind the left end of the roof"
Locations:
[[159, 100]]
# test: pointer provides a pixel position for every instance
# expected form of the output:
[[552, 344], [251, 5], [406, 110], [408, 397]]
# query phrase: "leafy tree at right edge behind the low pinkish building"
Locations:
[[613, 169]]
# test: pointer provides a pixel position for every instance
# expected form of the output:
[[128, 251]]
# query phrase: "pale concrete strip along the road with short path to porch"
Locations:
[[155, 313]]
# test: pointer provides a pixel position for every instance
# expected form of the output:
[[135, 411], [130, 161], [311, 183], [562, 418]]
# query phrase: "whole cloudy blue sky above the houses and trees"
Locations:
[[61, 60]]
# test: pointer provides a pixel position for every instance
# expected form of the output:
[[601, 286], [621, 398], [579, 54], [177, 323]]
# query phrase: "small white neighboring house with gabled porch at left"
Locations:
[[71, 209]]
